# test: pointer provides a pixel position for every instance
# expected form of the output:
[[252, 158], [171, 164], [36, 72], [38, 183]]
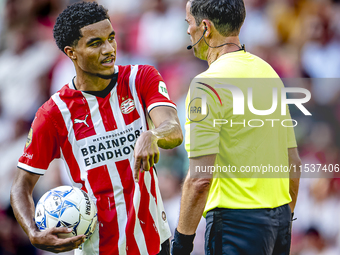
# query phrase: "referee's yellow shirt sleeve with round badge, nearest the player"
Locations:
[[202, 136]]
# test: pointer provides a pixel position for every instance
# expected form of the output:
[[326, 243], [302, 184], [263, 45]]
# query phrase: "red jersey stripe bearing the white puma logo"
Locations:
[[80, 113]]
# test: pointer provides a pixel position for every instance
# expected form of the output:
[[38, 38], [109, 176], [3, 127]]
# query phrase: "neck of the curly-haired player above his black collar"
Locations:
[[90, 83]]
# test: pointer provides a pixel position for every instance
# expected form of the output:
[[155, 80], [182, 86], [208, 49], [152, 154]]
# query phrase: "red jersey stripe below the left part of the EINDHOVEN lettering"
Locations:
[[101, 185]]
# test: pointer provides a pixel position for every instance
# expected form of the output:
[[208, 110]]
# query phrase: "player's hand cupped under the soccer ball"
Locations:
[[48, 240]]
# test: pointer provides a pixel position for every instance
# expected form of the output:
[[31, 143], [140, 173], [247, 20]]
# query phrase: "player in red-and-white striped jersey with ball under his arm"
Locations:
[[106, 124]]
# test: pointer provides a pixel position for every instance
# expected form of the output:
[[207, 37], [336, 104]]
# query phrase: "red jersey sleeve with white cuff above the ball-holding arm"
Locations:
[[41, 146]]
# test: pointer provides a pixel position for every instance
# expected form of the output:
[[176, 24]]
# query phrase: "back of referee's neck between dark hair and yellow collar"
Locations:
[[215, 53]]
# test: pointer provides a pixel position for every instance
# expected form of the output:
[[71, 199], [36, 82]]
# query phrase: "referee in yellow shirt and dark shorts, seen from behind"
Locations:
[[247, 215]]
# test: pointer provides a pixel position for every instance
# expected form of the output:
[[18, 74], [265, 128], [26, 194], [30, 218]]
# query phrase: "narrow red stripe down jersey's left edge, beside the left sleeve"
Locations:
[[67, 151]]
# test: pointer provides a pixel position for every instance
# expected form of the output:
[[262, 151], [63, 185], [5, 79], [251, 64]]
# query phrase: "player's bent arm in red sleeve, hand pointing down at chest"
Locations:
[[167, 133]]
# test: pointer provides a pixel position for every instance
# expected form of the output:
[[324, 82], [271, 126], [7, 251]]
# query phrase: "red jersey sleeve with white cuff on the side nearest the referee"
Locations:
[[153, 89]]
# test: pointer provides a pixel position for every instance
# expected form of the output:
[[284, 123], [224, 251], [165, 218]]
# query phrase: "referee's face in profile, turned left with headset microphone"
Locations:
[[195, 33]]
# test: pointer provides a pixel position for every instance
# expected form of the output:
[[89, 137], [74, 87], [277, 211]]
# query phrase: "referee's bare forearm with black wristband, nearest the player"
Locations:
[[194, 197]]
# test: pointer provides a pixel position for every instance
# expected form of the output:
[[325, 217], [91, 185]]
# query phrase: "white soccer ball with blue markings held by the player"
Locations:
[[66, 206]]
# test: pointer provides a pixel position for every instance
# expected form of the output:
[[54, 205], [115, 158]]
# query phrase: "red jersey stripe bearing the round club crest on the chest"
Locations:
[[125, 99]]
